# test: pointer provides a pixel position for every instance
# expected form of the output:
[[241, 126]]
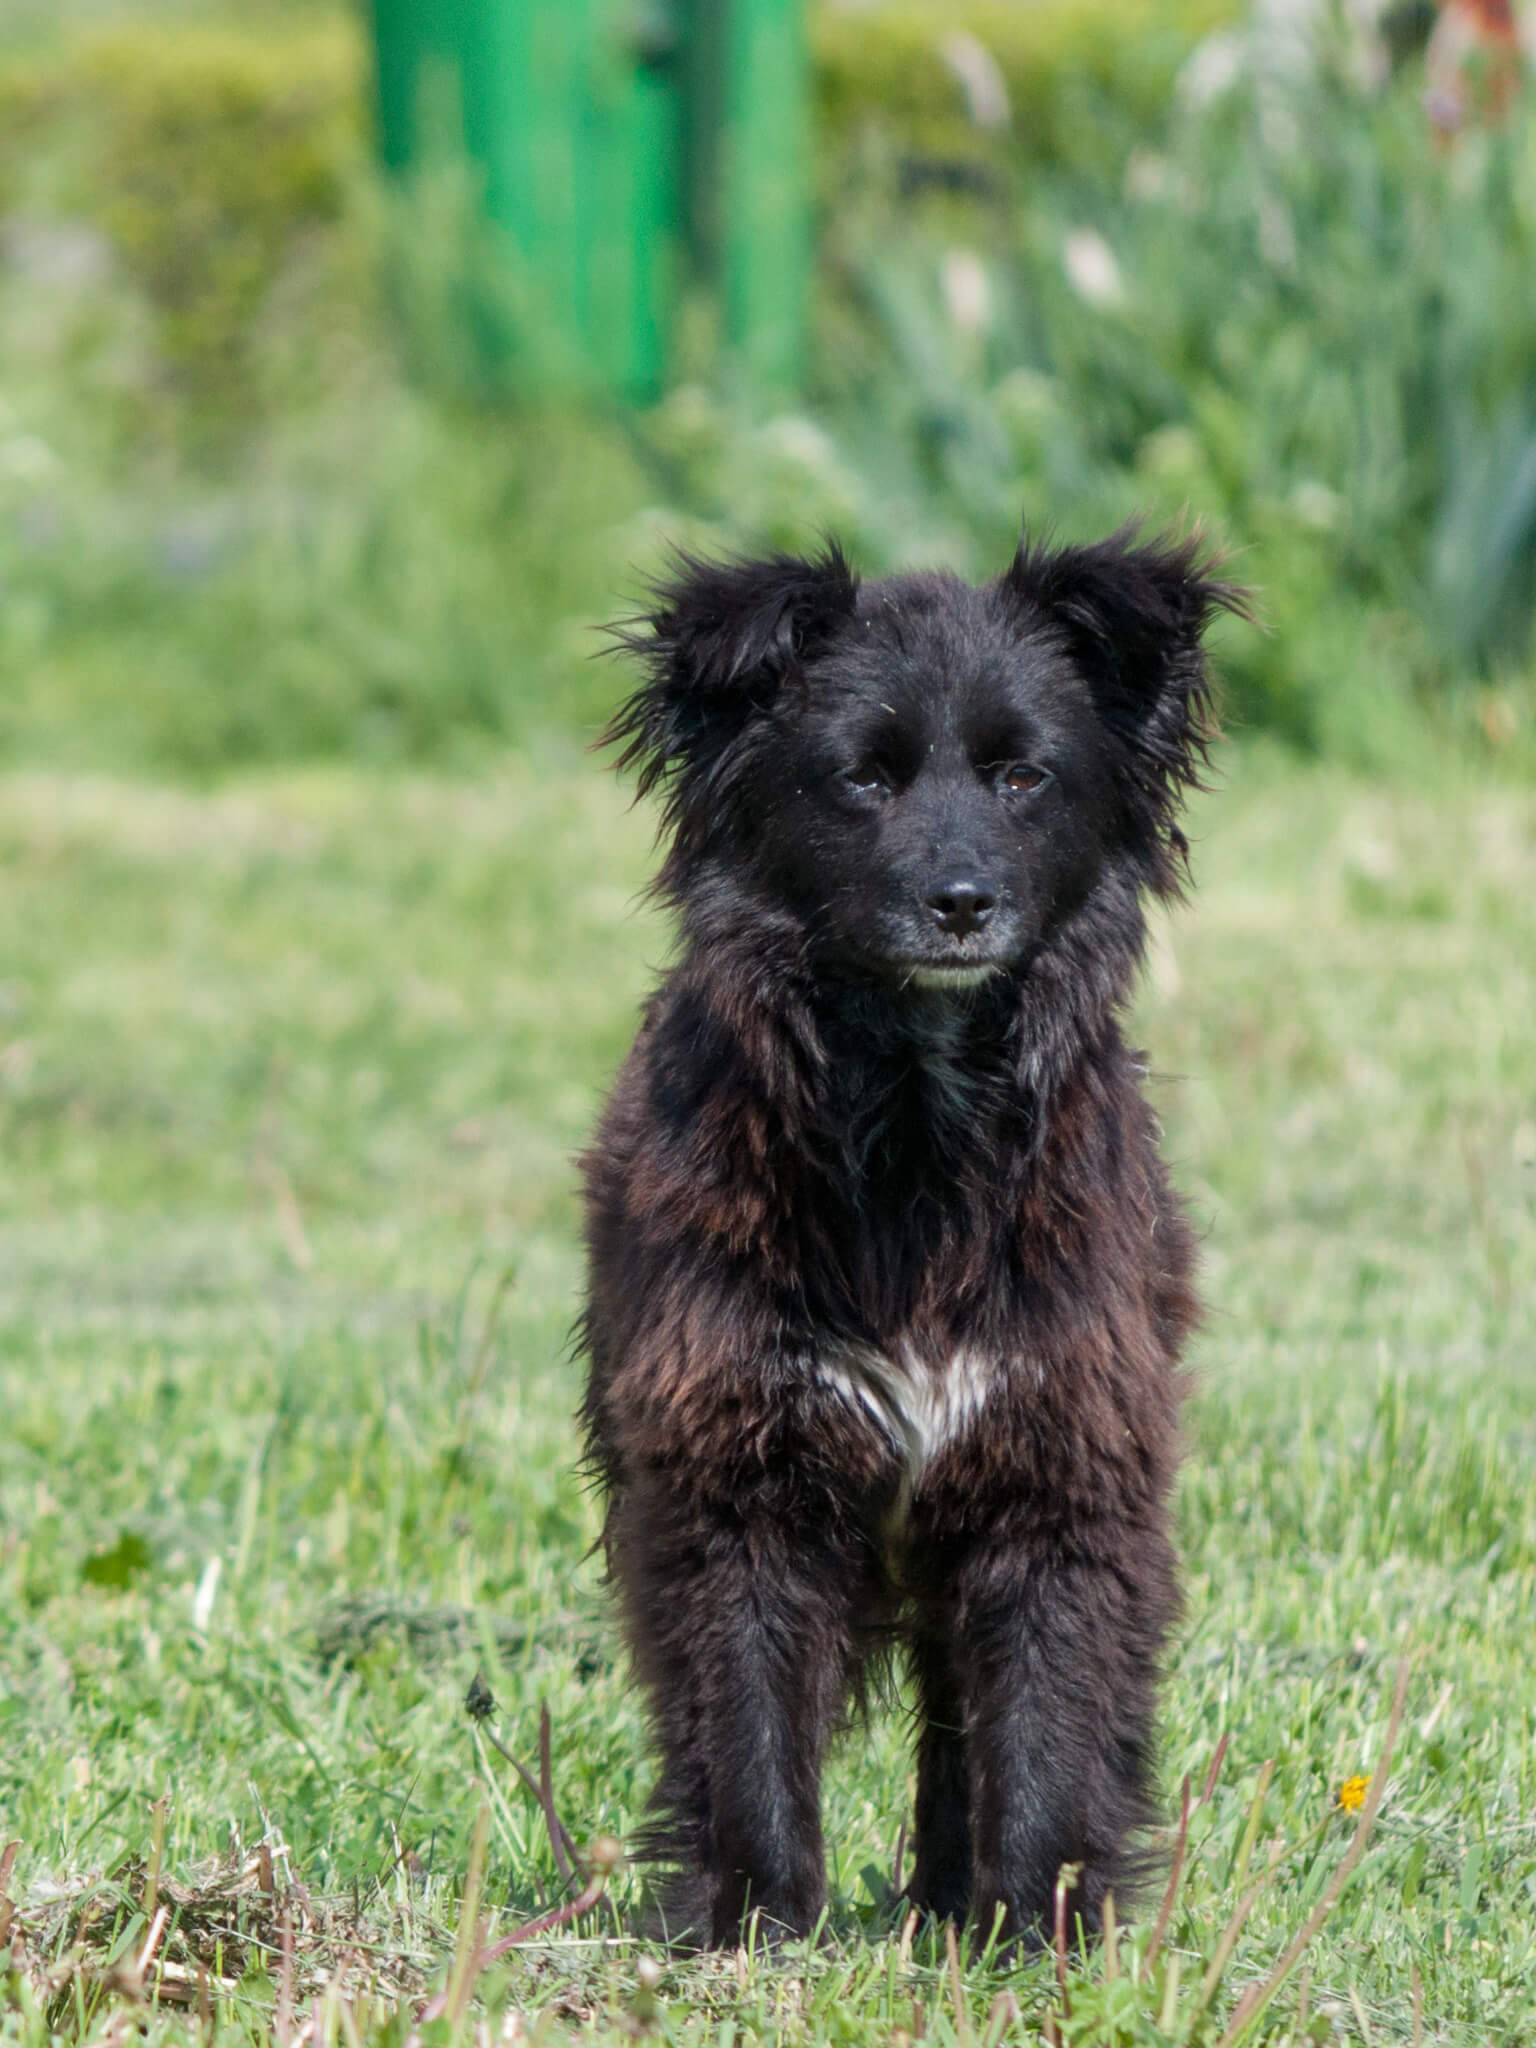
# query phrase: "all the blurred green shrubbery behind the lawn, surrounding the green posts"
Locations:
[[263, 490]]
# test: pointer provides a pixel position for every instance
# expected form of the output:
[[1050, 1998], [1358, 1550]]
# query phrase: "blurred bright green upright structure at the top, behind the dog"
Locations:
[[581, 116]]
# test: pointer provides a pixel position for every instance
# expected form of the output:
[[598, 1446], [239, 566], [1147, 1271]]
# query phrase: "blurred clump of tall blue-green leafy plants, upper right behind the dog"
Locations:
[[1306, 316]]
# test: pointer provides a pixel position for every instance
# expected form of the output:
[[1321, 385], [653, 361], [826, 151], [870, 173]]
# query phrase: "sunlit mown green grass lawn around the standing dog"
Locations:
[[290, 1082]]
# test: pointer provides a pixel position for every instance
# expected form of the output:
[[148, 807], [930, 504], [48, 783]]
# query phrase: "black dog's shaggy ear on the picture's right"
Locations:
[[1134, 617]]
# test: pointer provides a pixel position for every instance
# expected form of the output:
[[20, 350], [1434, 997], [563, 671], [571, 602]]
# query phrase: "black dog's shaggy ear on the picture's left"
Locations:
[[716, 642]]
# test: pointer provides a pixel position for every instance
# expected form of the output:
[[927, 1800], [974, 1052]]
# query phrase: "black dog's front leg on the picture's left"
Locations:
[[742, 1637]]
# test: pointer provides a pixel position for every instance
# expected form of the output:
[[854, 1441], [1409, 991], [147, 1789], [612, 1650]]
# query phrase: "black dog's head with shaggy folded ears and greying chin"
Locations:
[[927, 777]]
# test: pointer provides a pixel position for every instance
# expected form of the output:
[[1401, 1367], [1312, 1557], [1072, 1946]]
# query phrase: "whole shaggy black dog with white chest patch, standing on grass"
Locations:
[[888, 1283]]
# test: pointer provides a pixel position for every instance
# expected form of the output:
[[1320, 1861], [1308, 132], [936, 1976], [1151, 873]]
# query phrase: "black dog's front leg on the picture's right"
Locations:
[[1056, 1652]]
